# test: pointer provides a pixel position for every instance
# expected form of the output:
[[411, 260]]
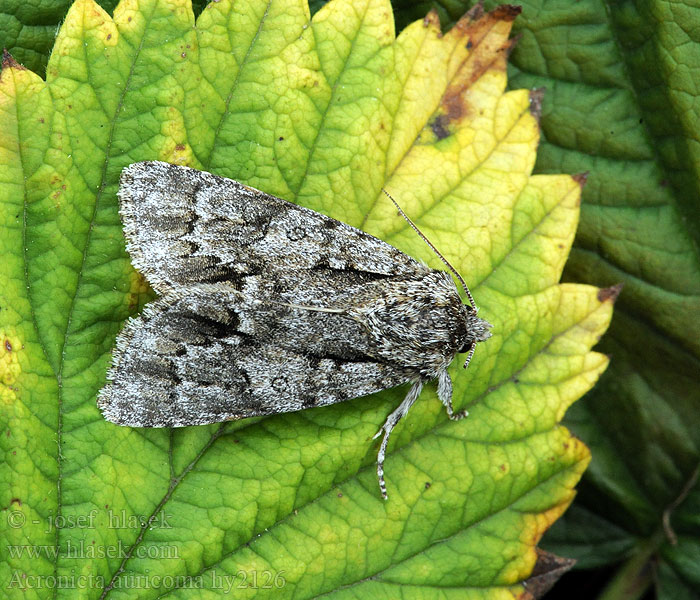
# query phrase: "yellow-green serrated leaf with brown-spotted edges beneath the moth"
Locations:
[[324, 112]]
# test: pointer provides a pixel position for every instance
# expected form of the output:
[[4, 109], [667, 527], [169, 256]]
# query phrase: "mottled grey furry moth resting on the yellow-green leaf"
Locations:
[[266, 307]]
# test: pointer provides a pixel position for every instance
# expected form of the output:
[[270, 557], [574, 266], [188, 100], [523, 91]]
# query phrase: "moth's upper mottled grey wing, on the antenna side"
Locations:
[[185, 226]]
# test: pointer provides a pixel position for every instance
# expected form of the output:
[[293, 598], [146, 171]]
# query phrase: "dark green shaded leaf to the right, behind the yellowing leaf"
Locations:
[[621, 103]]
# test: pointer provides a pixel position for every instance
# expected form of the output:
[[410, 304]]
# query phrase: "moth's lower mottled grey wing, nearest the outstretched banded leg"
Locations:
[[211, 356]]
